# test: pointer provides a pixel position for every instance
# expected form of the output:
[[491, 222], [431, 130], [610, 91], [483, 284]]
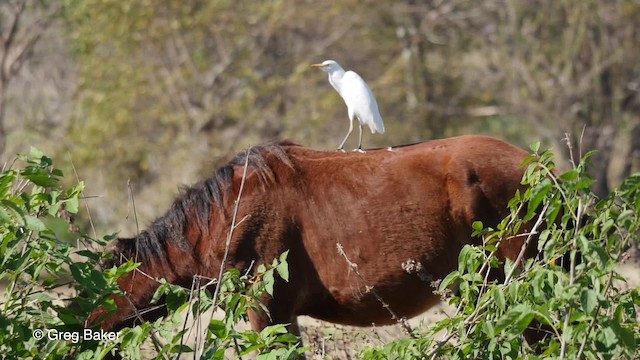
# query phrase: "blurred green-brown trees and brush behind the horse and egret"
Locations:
[[143, 96]]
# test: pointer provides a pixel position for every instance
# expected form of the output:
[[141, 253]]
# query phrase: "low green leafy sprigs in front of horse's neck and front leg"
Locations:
[[238, 293]]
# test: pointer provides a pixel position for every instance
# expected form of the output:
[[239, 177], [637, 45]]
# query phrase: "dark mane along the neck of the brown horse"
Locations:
[[199, 200]]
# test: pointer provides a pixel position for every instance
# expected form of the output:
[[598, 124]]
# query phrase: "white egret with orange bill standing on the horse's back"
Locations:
[[357, 95]]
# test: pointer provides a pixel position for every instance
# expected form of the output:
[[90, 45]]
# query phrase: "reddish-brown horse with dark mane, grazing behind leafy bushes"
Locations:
[[387, 207]]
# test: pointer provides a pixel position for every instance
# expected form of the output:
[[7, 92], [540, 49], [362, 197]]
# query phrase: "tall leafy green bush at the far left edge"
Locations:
[[37, 258]]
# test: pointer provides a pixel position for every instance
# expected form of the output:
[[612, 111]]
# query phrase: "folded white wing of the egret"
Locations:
[[360, 100]]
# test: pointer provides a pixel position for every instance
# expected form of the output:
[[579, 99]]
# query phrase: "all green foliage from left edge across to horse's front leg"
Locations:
[[39, 259]]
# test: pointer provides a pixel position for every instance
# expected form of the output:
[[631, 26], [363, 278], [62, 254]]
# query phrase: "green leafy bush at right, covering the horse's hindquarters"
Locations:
[[571, 290]]
